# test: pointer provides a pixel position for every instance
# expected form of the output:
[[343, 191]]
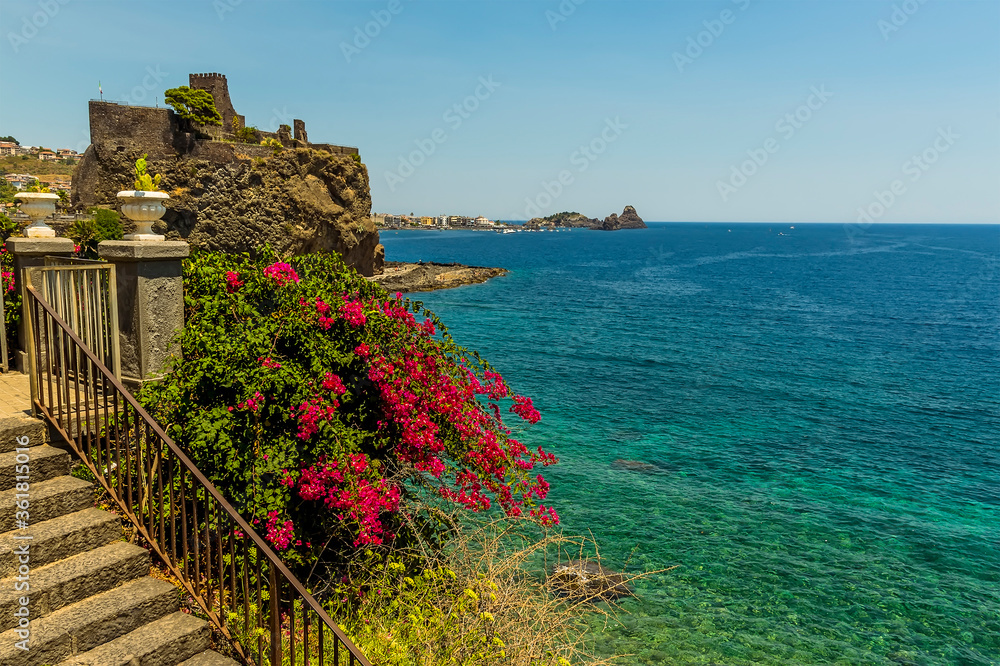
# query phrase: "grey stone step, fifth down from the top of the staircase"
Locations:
[[68, 581]]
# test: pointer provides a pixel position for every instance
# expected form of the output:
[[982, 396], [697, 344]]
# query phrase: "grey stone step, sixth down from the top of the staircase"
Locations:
[[91, 623]]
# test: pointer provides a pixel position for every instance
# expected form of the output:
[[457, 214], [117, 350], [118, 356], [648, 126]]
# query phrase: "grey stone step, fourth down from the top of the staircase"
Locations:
[[58, 538]]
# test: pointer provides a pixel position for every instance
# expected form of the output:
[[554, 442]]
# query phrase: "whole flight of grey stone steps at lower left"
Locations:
[[91, 599]]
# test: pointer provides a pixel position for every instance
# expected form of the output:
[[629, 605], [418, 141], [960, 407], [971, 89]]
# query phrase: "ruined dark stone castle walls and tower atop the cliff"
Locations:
[[161, 132]]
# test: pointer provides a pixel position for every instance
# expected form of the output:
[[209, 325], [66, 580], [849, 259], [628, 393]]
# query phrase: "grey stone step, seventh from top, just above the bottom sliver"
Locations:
[[168, 641]]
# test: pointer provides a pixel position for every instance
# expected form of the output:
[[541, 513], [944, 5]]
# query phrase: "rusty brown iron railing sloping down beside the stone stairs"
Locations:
[[236, 579]]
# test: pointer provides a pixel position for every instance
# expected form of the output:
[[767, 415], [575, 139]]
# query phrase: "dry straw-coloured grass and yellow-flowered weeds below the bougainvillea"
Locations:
[[486, 600]]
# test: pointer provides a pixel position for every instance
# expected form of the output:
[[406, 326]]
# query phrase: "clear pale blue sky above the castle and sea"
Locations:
[[673, 130]]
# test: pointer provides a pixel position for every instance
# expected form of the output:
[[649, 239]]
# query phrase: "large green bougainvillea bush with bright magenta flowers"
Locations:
[[323, 407]]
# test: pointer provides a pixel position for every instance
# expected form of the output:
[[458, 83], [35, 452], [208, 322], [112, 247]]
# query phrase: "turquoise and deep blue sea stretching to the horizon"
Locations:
[[819, 412]]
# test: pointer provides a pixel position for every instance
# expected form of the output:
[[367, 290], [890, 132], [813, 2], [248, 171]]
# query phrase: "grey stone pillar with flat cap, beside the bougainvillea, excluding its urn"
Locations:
[[150, 304]]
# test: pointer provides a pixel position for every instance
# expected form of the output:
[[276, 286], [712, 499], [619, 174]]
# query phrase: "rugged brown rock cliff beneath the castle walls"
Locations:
[[236, 198]]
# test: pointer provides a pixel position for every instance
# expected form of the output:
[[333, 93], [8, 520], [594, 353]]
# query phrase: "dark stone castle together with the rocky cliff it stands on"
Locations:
[[229, 193]]
